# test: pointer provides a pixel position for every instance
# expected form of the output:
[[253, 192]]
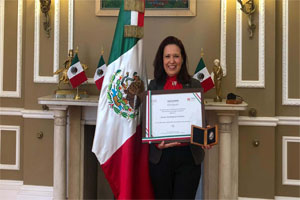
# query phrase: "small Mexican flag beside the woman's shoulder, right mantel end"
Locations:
[[202, 74]]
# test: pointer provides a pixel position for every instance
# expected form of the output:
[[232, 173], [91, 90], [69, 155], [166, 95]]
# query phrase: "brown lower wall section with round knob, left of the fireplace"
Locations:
[[38, 153]]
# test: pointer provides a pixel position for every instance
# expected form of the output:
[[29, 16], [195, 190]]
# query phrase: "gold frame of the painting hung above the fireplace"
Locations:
[[166, 12]]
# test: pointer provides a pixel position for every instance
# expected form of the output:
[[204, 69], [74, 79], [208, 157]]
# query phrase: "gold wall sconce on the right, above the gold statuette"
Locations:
[[248, 8]]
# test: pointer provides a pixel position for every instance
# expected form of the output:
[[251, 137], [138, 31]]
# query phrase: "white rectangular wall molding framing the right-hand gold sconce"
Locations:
[[260, 83]]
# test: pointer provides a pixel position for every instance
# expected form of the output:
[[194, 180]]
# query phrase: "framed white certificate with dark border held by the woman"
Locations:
[[170, 114]]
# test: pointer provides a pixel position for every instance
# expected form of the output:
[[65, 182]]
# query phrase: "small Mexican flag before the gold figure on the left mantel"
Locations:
[[76, 73]]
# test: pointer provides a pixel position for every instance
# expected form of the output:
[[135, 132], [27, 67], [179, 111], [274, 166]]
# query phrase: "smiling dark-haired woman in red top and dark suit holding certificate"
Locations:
[[175, 168]]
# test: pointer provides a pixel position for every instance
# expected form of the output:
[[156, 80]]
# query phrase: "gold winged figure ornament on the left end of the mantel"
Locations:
[[64, 91]]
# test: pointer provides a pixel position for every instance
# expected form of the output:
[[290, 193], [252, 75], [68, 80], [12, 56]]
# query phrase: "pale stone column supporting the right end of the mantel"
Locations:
[[225, 130]]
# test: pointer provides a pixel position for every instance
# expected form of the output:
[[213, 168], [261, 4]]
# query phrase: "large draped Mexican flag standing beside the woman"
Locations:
[[117, 141]]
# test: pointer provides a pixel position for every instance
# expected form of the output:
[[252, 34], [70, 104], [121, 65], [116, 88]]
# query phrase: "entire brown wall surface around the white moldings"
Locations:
[[91, 33]]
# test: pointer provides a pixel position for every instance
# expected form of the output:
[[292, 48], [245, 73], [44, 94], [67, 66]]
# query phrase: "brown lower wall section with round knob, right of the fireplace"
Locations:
[[257, 164]]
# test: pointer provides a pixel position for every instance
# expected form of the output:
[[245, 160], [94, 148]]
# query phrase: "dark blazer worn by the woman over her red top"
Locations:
[[155, 153]]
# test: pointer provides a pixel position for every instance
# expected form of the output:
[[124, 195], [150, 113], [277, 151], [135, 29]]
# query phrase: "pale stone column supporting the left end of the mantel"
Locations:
[[59, 163]]
